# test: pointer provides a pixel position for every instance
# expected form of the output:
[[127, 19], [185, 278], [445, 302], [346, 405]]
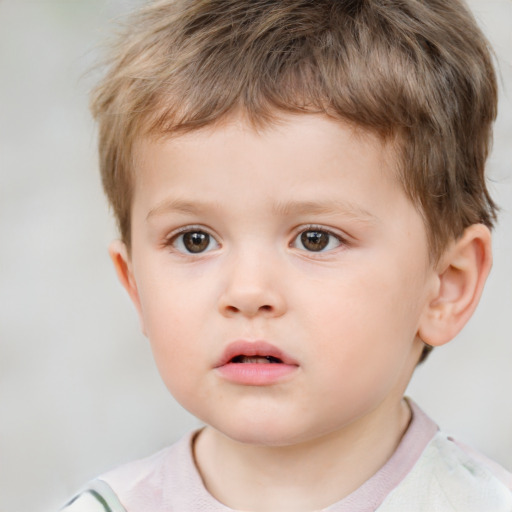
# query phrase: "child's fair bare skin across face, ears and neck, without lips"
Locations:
[[350, 316]]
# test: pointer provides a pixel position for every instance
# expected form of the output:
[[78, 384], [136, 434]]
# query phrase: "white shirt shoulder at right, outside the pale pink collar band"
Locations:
[[450, 477]]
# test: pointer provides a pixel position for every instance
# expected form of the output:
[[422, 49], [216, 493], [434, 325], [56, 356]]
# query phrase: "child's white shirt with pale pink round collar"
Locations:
[[428, 472]]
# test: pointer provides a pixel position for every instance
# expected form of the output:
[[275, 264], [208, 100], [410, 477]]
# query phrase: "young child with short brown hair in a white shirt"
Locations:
[[300, 192]]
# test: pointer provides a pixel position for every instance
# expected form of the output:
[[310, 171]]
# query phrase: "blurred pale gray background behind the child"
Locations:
[[78, 389]]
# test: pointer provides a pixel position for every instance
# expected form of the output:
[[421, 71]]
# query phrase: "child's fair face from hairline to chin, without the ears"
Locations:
[[298, 237]]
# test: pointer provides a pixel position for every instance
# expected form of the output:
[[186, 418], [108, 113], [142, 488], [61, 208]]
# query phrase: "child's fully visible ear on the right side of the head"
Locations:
[[461, 275]]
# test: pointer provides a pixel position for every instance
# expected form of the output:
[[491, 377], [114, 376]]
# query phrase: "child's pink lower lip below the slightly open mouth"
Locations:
[[256, 374]]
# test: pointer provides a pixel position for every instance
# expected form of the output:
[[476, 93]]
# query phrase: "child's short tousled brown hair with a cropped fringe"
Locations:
[[417, 72]]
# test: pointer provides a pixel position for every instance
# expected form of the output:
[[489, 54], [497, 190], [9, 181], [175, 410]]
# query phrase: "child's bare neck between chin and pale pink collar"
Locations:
[[306, 476]]
